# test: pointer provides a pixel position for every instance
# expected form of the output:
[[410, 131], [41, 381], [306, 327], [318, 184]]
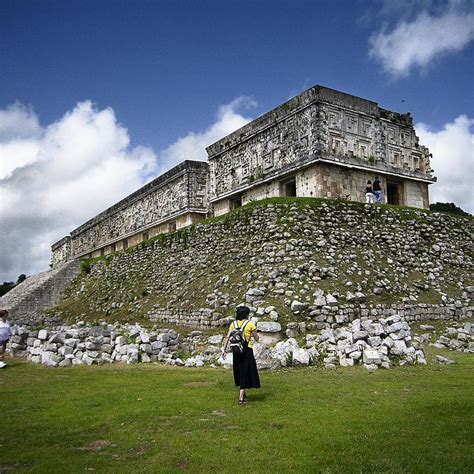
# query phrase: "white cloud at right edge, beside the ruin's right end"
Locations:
[[453, 161]]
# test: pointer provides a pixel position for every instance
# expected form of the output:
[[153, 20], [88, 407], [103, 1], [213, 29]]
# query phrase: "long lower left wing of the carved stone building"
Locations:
[[172, 201]]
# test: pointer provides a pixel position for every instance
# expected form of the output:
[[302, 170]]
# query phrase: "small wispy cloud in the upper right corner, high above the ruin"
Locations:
[[419, 42]]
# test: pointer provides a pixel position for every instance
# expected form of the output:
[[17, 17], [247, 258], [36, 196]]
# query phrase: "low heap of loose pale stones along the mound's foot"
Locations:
[[374, 344]]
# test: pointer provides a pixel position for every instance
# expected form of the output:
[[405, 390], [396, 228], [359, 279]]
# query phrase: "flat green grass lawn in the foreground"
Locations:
[[151, 418]]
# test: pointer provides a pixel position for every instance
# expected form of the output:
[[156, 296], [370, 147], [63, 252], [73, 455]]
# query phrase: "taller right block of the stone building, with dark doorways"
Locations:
[[322, 143]]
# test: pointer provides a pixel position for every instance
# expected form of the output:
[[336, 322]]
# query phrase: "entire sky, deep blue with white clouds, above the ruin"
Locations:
[[161, 79]]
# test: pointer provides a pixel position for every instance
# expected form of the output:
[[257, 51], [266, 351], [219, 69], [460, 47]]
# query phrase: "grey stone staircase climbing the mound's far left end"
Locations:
[[39, 291]]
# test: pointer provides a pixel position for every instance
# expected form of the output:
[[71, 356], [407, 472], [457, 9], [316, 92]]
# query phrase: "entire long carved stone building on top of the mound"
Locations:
[[322, 143]]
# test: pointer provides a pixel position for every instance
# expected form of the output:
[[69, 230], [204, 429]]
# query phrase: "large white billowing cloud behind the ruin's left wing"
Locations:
[[54, 178]]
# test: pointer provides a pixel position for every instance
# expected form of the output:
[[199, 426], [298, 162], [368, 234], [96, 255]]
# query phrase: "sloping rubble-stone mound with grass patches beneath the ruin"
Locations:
[[327, 262]]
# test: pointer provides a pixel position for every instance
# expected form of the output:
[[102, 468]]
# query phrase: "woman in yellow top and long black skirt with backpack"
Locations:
[[244, 365]]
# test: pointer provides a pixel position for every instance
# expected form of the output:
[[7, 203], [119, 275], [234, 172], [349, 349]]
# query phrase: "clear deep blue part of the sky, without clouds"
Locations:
[[165, 66]]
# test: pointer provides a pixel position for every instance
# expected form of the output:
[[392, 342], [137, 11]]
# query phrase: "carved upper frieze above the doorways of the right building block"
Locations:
[[318, 124]]
